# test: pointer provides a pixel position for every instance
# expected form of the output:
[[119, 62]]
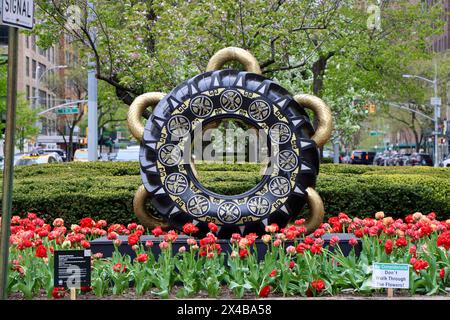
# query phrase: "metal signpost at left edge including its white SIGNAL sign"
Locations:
[[16, 16]]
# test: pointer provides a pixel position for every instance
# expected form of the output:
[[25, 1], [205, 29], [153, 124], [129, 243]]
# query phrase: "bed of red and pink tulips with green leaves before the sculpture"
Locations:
[[306, 268]]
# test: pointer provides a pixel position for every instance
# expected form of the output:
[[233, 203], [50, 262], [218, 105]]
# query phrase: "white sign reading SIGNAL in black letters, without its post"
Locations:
[[18, 13]]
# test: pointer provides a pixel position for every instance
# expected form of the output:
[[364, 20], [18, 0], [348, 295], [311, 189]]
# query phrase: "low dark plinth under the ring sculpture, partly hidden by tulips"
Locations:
[[106, 247]]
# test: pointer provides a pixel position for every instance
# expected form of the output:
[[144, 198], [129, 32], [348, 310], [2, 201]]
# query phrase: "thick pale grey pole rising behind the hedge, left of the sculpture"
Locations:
[[92, 100]]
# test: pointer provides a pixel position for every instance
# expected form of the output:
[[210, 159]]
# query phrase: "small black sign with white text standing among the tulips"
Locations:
[[72, 268]]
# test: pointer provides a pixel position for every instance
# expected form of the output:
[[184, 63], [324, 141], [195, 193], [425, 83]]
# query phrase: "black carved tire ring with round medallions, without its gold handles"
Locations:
[[176, 193]]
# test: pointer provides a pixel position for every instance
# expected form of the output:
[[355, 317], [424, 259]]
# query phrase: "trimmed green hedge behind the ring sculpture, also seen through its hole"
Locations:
[[105, 190]]
